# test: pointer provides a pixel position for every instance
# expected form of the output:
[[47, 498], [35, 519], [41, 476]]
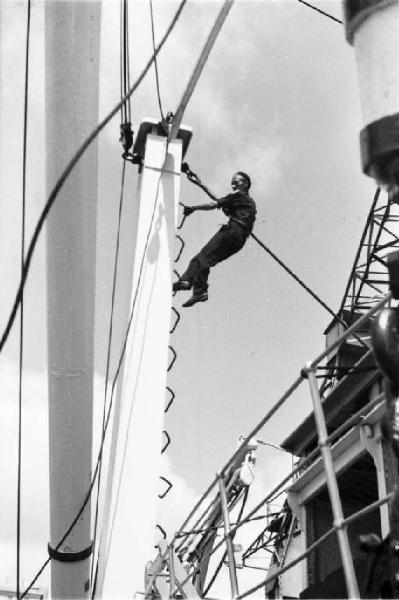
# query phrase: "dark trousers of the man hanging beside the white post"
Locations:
[[227, 241]]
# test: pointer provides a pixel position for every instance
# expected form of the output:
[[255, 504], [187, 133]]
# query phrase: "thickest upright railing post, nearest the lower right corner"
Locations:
[[325, 450]]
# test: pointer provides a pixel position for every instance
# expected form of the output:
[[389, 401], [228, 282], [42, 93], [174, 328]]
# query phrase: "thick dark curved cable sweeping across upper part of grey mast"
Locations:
[[67, 171]]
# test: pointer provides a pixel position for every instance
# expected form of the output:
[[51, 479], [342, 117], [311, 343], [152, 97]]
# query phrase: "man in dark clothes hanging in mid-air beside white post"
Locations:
[[241, 210]]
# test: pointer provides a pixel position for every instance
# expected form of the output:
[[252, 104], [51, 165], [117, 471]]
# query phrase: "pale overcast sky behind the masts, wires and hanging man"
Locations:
[[277, 99]]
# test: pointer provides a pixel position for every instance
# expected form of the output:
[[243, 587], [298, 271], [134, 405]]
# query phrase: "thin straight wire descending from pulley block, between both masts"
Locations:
[[109, 346]]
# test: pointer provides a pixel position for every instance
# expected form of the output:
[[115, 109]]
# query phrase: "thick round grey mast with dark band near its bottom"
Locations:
[[72, 65]]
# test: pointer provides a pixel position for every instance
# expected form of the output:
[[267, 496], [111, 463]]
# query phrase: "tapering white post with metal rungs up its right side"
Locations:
[[137, 460]]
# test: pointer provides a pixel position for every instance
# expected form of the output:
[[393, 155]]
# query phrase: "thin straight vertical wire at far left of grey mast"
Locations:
[[21, 330]]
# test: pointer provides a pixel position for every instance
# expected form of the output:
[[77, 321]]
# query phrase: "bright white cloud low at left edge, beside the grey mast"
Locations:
[[34, 474]]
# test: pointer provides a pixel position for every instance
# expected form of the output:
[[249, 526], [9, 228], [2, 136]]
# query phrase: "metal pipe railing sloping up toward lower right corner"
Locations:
[[340, 524]]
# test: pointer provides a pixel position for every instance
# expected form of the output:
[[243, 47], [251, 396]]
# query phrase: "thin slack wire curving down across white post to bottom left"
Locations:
[[121, 357]]
